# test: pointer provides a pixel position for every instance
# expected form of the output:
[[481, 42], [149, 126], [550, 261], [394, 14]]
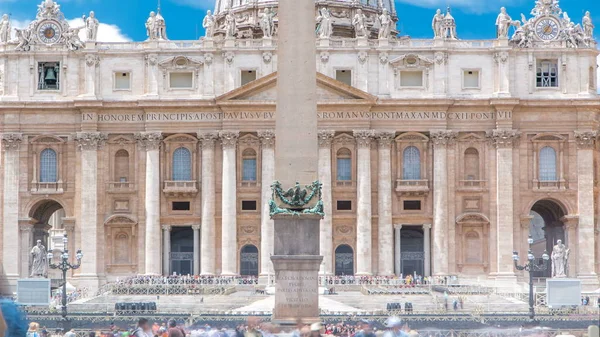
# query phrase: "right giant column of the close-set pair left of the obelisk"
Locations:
[[229, 204]]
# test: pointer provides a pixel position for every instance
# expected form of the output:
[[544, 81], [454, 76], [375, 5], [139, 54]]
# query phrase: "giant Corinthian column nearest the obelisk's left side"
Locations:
[[267, 139]]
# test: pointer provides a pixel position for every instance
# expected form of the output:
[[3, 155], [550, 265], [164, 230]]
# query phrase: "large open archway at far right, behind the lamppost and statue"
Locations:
[[545, 229]]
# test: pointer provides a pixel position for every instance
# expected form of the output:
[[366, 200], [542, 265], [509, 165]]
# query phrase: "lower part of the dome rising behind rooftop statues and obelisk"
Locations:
[[247, 15]]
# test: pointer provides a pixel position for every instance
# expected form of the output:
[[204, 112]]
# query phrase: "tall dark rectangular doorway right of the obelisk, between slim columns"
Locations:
[[412, 251]]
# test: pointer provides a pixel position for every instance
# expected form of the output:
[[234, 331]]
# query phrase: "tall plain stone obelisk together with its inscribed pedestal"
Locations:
[[296, 257]]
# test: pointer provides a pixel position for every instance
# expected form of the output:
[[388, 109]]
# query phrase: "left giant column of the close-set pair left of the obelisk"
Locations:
[[207, 237]]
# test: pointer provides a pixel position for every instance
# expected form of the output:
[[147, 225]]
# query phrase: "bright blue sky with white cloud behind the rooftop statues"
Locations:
[[124, 19]]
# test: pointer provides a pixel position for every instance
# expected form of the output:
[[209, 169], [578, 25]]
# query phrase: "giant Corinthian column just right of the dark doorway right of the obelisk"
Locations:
[[440, 140]]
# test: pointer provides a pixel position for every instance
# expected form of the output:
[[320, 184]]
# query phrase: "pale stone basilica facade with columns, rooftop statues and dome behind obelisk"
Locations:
[[437, 156]]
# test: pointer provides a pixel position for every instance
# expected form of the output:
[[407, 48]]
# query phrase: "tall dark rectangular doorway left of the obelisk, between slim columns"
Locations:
[[182, 250]]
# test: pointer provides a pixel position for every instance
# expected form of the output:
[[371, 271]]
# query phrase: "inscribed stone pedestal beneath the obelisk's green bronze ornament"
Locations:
[[296, 263]]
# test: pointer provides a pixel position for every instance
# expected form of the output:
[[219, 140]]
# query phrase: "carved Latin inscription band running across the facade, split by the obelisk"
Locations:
[[153, 117]]
